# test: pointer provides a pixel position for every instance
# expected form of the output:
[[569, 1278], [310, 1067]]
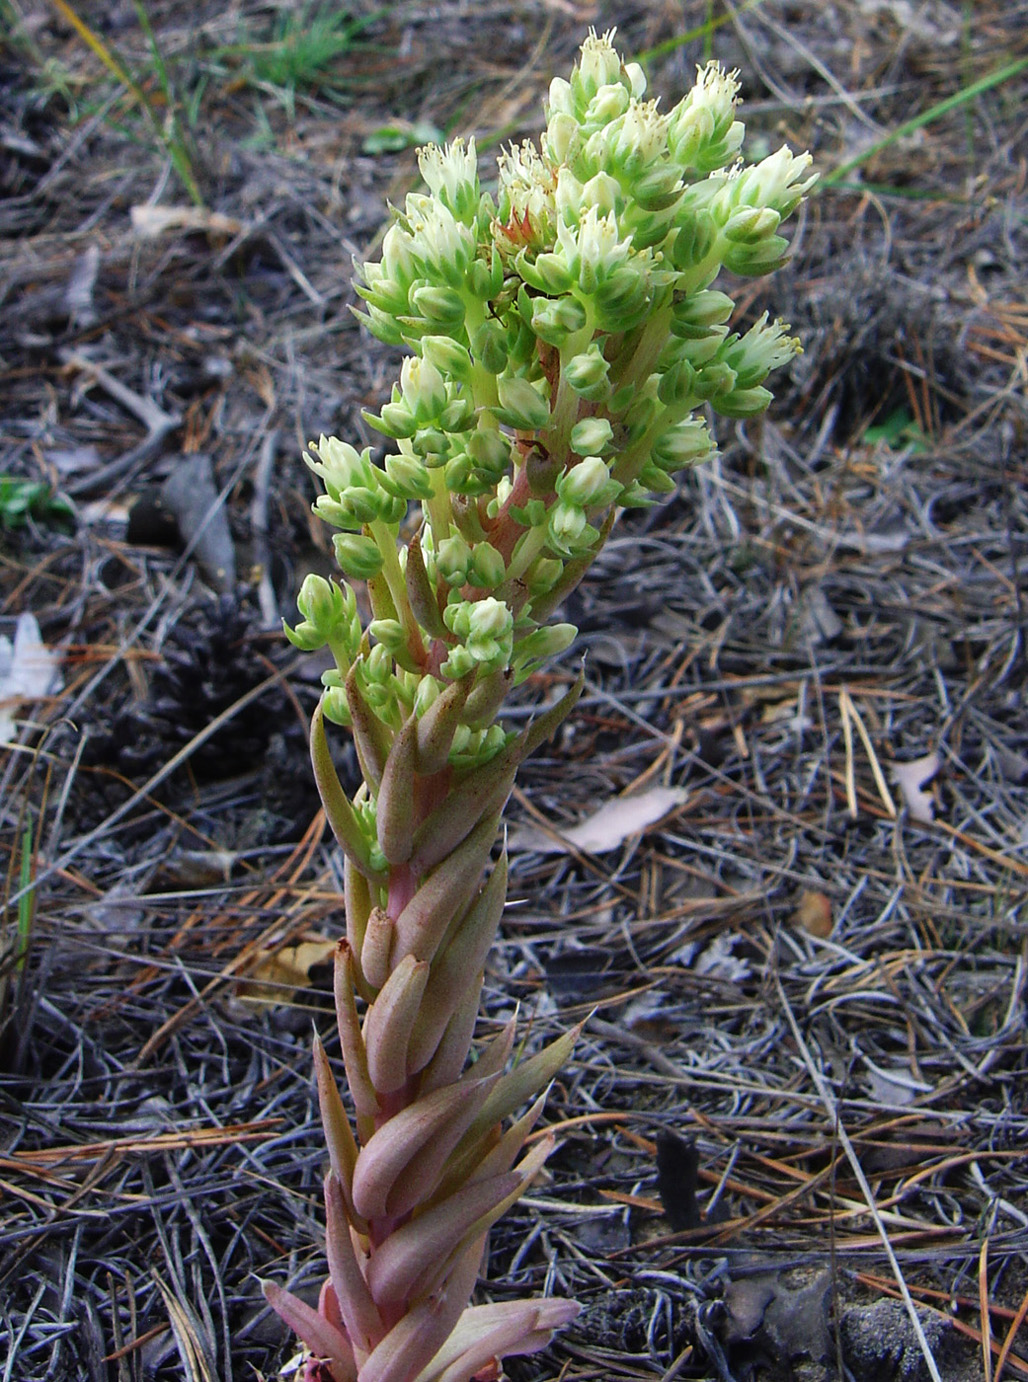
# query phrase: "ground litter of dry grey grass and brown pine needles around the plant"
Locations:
[[819, 990]]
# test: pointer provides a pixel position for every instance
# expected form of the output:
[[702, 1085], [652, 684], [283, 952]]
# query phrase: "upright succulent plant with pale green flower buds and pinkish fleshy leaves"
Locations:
[[562, 345]]
